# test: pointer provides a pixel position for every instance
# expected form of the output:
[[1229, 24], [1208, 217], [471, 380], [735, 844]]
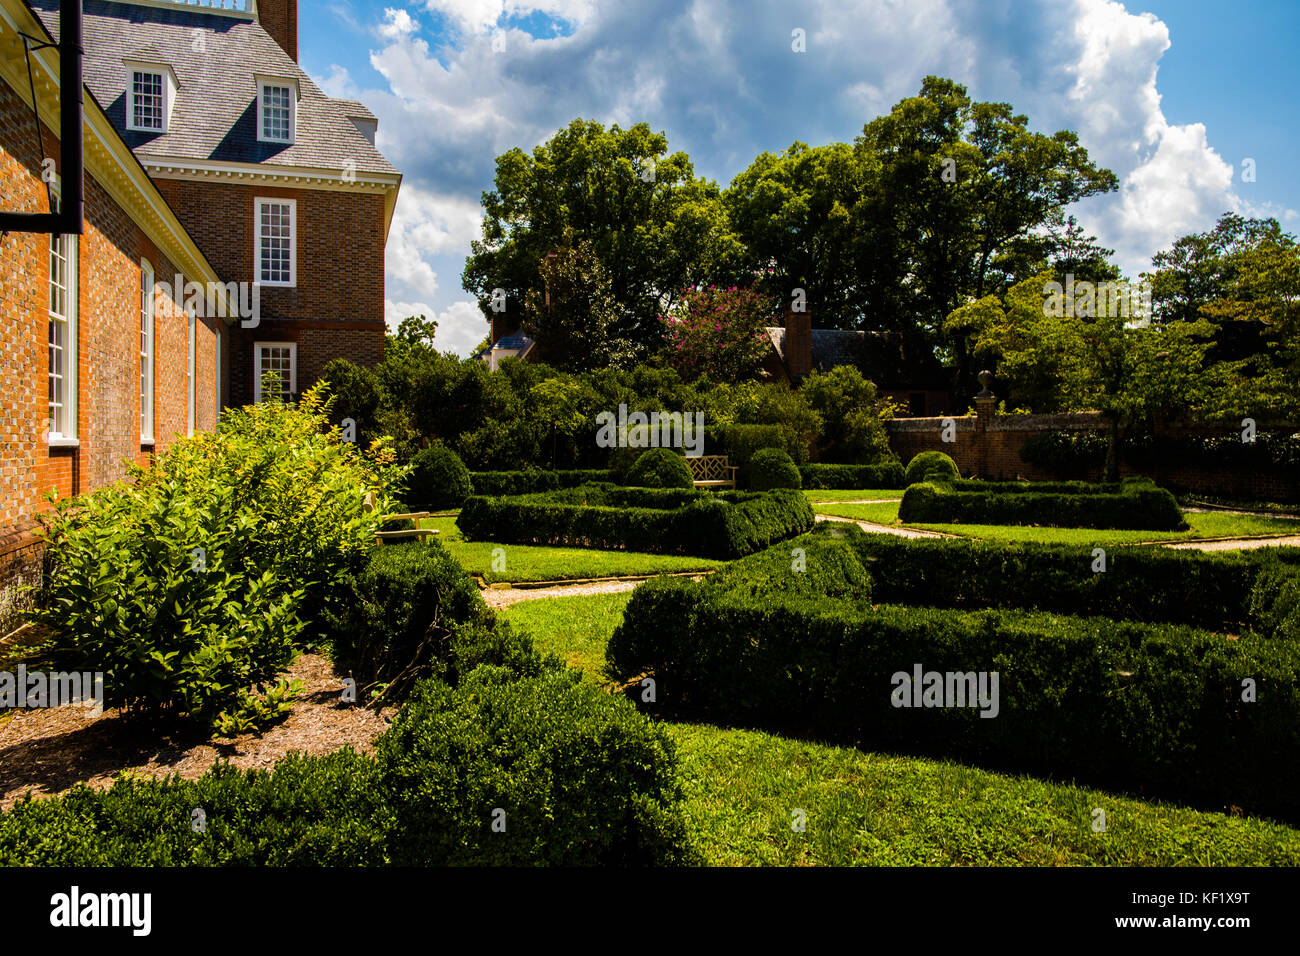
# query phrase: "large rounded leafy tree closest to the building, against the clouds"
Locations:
[[655, 227]]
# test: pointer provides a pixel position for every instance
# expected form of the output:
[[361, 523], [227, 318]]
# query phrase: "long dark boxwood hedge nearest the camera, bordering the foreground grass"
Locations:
[[1125, 706]]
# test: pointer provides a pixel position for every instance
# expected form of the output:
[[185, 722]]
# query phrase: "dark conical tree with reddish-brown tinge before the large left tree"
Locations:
[[573, 319]]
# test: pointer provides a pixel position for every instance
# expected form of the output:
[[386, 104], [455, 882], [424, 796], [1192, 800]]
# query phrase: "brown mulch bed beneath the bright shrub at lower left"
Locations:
[[47, 752]]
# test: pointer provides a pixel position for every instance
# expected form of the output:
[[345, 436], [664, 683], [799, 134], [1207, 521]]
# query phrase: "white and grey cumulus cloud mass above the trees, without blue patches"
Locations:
[[721, 77]]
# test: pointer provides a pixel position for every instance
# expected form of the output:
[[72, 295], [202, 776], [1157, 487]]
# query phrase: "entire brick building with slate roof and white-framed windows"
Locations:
[[213, 159]]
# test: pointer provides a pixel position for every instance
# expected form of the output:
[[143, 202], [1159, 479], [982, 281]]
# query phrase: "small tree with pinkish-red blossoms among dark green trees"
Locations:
[[720, 332]]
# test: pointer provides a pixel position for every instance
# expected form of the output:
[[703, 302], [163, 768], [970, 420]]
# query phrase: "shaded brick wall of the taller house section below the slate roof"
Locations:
[[335, 312]]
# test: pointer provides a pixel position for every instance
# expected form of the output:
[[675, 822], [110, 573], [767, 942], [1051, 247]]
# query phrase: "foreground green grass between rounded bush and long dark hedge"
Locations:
[[743, 789]]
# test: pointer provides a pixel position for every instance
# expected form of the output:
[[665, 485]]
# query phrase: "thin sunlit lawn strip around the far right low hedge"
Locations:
[[1203, 525]]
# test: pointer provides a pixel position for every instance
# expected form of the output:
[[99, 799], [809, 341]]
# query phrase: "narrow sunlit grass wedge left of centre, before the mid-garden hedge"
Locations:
[[531, 564]]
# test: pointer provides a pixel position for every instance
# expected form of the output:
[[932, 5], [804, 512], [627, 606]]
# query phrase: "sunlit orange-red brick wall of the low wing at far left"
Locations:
[[109, 404]]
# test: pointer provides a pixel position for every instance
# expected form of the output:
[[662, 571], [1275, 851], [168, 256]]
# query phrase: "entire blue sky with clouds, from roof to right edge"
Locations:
[[1172, 96]]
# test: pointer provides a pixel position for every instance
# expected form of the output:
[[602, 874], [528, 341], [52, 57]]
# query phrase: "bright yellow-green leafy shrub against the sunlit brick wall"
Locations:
[[192, 585]]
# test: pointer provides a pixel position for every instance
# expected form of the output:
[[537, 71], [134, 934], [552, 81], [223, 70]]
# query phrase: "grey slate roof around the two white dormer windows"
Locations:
[[215, 114]]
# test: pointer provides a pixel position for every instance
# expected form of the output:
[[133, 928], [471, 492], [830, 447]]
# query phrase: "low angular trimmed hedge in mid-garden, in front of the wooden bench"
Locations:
[[656, 521]]
